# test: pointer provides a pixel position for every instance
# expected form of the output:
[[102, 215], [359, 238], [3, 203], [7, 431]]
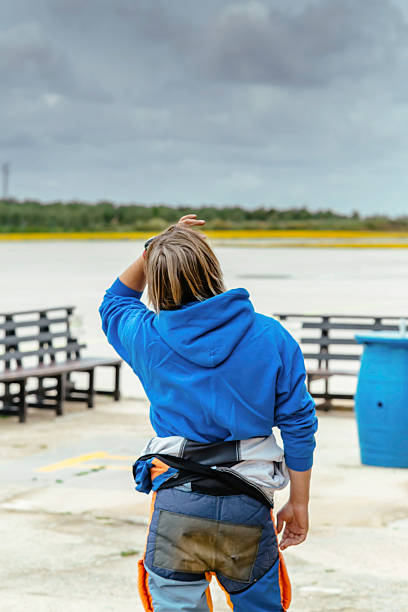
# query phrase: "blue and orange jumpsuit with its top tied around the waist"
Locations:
[[211, 515]]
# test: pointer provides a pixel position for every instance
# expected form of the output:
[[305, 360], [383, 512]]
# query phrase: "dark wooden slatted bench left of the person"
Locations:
[[38, 345]]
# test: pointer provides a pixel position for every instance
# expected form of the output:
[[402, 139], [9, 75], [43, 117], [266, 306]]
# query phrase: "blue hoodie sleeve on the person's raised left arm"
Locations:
[[123, 315]]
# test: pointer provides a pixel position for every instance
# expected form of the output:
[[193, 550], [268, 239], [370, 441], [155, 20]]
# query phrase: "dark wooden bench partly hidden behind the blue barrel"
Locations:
[[328, 342]]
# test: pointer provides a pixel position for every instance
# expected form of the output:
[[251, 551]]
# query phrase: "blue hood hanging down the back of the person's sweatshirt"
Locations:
[[207, 332]]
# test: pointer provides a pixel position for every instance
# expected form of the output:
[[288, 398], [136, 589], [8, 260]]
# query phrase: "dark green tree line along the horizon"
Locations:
[[35, 216]]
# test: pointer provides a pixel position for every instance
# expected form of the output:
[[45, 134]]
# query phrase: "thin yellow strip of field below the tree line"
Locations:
[[283, 238]]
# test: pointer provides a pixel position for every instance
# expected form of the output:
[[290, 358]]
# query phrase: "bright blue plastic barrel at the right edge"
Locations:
[[381, 401]]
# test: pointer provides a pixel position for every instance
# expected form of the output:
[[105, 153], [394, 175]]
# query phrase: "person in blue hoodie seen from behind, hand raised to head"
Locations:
[[219, 377]]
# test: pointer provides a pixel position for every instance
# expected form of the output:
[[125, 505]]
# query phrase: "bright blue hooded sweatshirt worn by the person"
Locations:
[[215, 370]]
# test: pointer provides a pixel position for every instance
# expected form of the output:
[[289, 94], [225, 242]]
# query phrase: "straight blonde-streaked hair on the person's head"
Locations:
[[181, 267]]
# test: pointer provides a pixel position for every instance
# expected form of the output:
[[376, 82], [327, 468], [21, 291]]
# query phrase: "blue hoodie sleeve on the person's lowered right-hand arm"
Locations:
[[295, 409]]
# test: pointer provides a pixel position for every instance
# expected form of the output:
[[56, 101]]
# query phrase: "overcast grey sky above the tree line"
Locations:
[[207, 102]]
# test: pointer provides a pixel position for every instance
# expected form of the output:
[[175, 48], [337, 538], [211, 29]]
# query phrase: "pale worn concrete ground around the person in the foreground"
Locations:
[[72, 527]]
